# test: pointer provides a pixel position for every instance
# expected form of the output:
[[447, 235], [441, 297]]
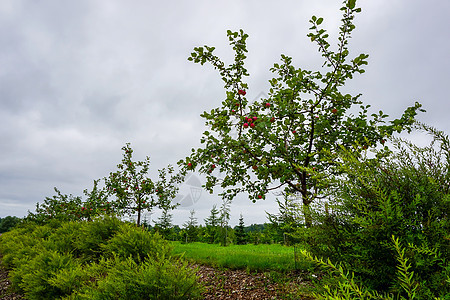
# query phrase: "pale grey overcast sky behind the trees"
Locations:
[[79, 79]]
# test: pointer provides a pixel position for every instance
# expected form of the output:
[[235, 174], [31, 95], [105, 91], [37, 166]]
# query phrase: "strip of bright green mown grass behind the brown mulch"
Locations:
[[251, 257]]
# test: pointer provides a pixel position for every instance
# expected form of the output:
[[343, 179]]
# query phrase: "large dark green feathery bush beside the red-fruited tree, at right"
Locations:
[[405, 194]]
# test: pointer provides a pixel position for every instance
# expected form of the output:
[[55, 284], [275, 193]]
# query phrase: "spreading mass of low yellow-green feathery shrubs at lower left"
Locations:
[[102, 259]]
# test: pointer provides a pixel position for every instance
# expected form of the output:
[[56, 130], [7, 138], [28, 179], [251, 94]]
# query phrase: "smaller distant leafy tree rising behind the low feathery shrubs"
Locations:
[[135, 192]]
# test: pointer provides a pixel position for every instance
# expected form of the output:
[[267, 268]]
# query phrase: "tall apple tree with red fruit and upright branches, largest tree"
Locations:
[[287, 141]]
